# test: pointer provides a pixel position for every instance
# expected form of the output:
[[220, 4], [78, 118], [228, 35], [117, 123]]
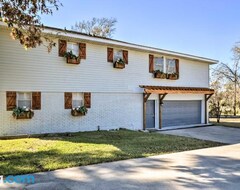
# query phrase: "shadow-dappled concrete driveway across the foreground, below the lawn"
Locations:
[[212, 168]]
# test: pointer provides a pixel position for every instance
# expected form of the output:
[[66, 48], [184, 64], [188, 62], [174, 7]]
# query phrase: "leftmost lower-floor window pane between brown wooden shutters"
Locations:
[[24, 99]]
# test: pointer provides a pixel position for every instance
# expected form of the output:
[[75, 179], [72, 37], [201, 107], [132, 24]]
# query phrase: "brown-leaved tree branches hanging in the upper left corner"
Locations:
[[23, 17]]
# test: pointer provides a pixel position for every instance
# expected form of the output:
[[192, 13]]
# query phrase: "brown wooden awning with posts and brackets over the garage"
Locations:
[[162, 91]]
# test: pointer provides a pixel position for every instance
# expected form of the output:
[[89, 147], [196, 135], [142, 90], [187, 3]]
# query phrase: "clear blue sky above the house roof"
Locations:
[[206, 28]]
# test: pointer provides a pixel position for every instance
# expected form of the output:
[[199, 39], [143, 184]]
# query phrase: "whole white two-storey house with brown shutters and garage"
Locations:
[[131, 97]]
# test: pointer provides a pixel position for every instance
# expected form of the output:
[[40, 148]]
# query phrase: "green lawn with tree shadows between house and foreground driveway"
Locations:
[[28, 155]]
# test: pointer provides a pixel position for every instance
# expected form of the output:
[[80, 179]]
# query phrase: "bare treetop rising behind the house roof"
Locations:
[[103, 27]]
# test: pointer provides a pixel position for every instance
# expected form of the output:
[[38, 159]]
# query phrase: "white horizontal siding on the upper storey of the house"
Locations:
[[36, 70]]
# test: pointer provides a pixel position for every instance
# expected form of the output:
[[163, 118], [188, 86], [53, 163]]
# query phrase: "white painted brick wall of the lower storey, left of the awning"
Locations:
[[108, 110]]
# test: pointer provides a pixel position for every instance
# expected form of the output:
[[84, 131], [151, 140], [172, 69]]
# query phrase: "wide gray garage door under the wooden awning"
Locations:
[[176, 113]]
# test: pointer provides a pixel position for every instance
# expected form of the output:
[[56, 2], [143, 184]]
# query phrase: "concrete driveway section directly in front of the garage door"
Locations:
[[221, 134]]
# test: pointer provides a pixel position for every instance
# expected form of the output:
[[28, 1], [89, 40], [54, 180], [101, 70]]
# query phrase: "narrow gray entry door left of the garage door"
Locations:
[[150, 114]]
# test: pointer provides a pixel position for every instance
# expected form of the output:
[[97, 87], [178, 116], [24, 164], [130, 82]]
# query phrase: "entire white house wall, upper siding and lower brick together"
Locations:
[[116, 96]]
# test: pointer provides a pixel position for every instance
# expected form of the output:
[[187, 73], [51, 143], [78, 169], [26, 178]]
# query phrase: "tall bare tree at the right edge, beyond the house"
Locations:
[[231, 73]]
